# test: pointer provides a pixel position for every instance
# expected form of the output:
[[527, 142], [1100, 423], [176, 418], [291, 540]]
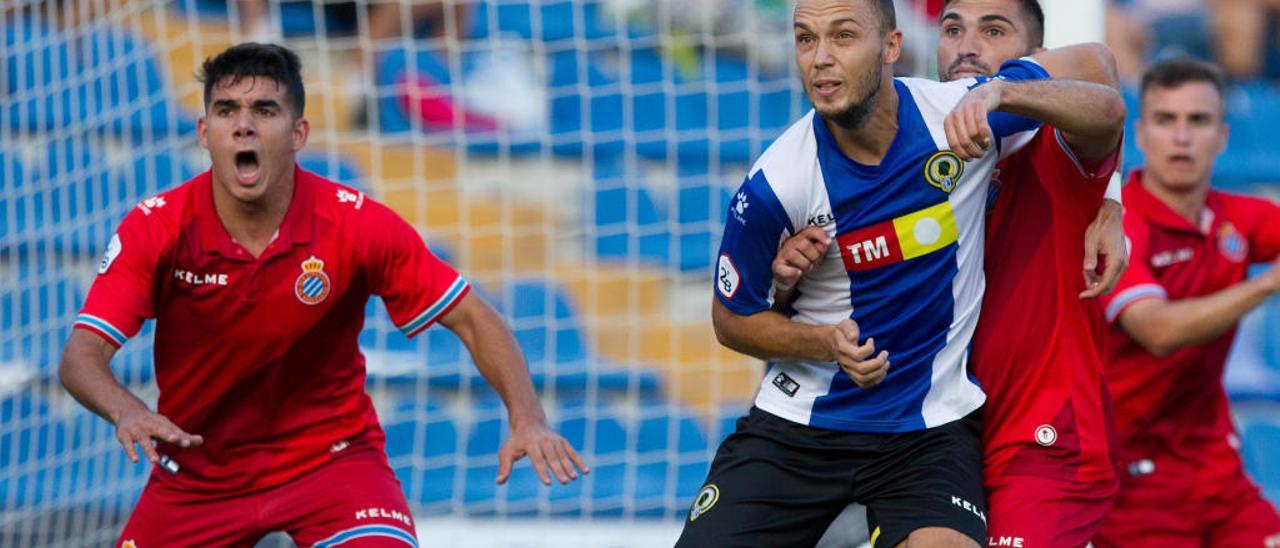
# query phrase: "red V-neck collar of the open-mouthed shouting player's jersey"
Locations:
[[295, 229]]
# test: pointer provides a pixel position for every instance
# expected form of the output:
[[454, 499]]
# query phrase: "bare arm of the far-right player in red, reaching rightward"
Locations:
[[1165, 327]]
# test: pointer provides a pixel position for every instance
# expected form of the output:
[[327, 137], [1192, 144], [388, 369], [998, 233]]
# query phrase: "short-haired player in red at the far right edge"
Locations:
[[1174, 318]]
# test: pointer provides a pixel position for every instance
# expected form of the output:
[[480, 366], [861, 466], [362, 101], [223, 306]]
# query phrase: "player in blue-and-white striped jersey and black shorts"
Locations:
[[895, 172]]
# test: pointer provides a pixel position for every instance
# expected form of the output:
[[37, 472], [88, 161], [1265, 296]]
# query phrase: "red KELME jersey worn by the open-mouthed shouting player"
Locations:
[[259, 357]]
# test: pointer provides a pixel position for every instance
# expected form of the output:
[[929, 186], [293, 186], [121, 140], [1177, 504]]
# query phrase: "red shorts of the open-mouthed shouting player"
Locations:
[[354, 501]]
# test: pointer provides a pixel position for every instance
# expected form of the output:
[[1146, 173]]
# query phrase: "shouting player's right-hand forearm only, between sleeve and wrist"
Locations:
[[499, 359]]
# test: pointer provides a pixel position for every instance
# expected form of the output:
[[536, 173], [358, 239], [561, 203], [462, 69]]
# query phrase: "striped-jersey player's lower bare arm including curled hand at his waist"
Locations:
[[770, 336]]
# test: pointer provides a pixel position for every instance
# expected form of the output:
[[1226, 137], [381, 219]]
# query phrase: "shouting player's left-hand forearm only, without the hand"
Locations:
[[86, 373]]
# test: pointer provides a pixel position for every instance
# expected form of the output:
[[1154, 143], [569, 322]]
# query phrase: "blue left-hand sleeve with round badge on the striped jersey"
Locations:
[[755, 230]]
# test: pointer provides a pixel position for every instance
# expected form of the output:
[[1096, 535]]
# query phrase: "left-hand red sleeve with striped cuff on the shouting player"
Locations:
[[122, 295]]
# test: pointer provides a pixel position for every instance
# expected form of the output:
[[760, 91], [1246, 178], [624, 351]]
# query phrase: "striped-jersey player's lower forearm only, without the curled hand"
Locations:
[[771, 336]]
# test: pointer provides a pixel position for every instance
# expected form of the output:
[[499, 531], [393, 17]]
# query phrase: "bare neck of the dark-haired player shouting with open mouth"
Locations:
[[255, 225]]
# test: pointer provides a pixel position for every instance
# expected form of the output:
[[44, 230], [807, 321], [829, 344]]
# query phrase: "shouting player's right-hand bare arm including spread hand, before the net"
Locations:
[[500, 360]]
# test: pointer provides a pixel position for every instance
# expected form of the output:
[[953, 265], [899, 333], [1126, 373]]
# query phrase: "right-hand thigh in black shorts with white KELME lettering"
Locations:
[[931, 479]]
